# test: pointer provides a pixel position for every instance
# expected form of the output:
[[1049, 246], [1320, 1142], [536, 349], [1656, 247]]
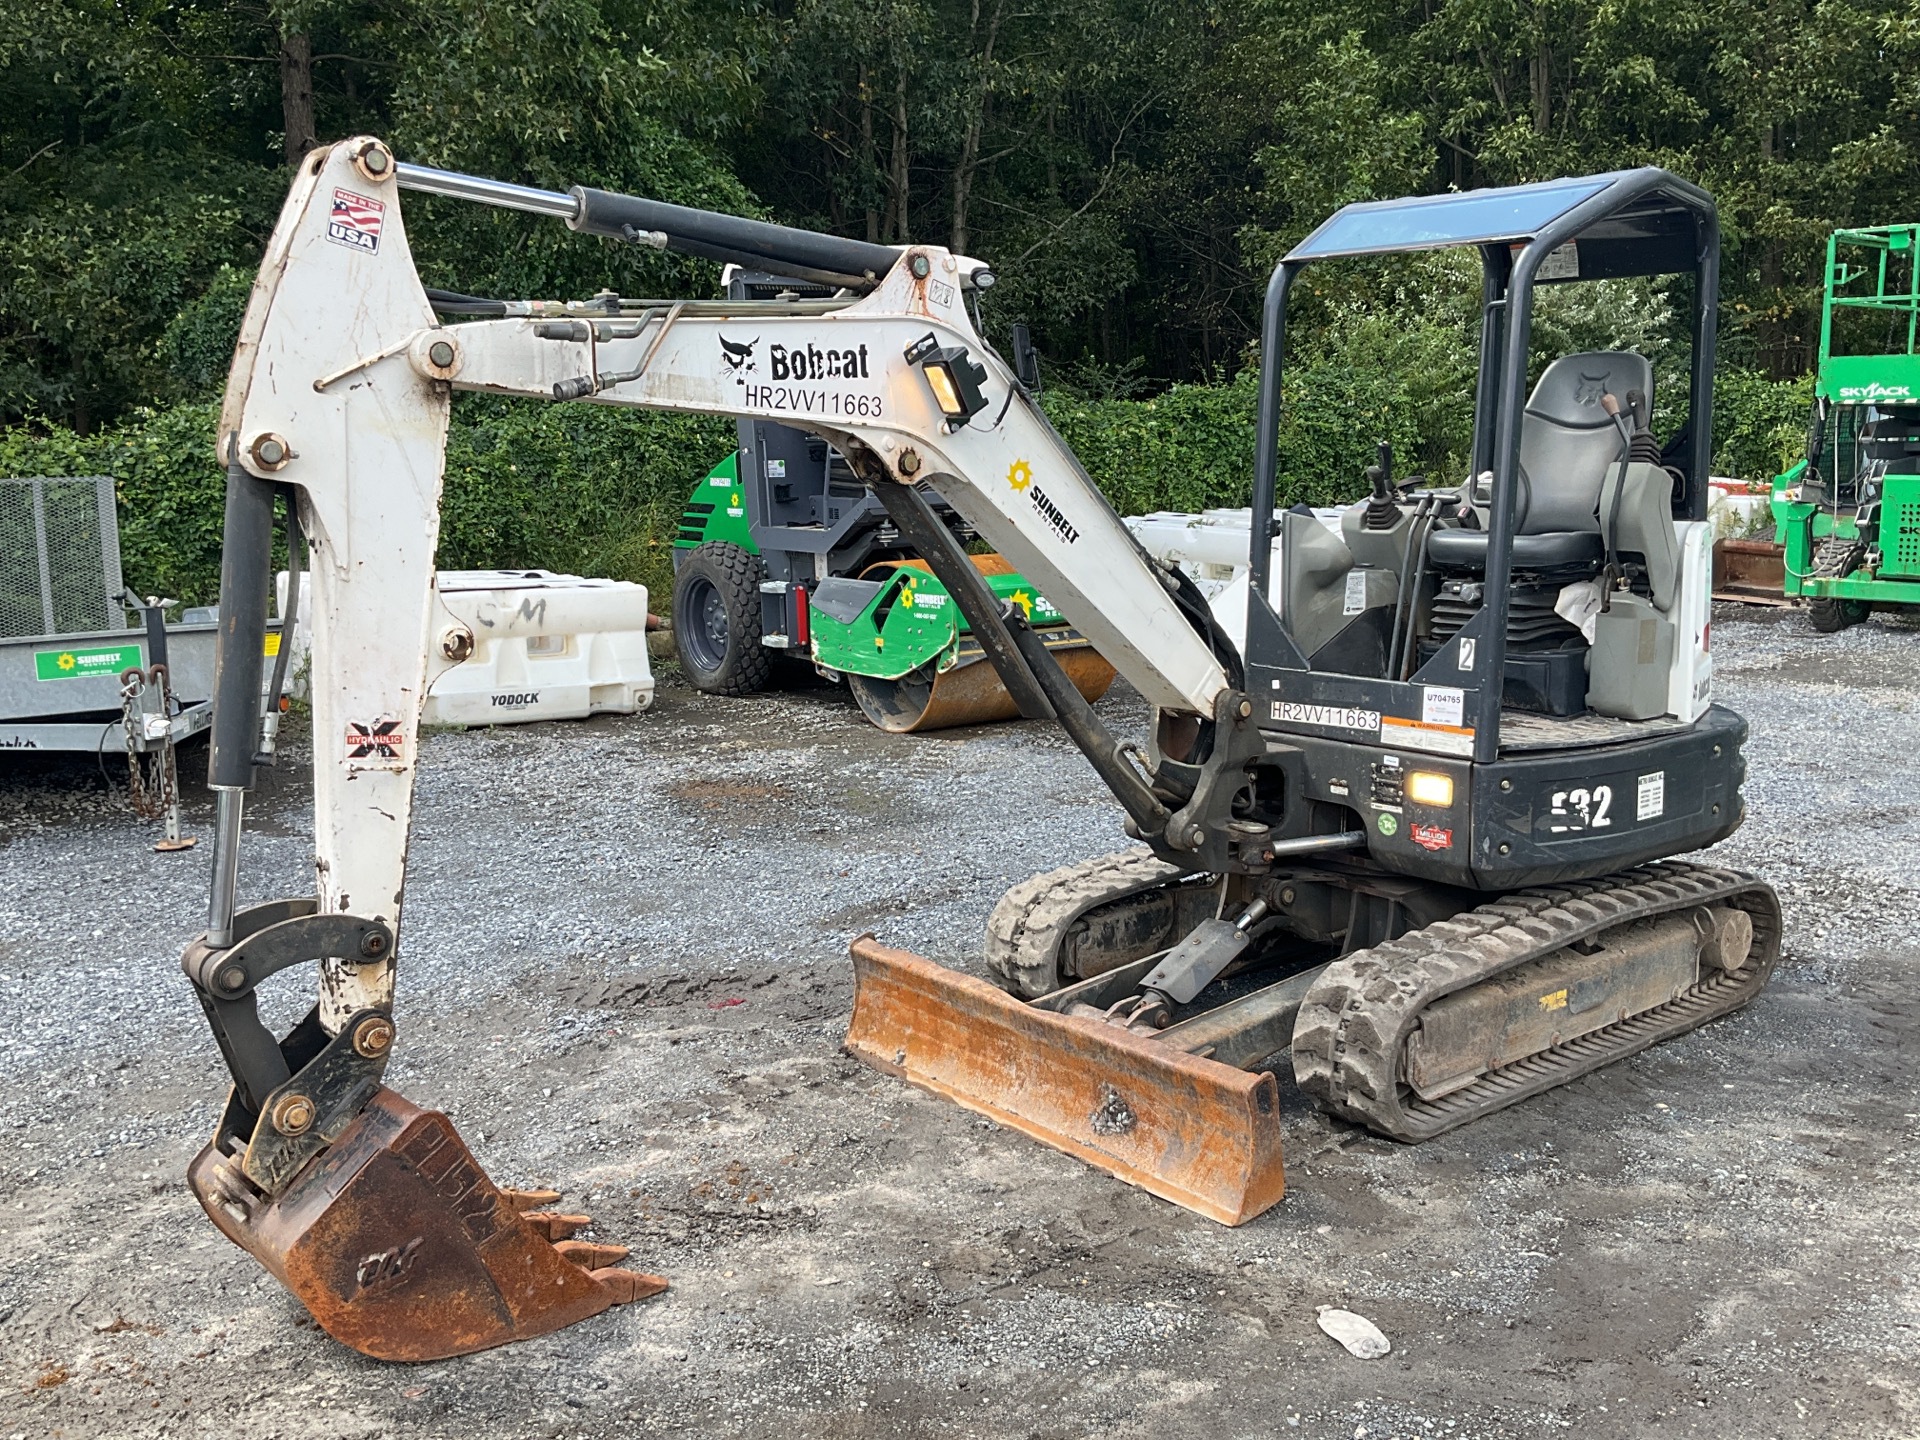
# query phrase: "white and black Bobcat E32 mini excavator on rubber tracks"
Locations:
[[1412, 838]]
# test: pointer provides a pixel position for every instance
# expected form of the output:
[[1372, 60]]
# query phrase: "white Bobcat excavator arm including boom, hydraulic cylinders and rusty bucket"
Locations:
[[370, 1211]]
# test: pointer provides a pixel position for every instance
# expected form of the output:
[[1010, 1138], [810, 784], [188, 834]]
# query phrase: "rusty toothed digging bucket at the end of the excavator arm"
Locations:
[[402, 1249]]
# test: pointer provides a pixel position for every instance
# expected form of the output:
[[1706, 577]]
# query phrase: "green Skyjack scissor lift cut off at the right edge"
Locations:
[[1850, 512]]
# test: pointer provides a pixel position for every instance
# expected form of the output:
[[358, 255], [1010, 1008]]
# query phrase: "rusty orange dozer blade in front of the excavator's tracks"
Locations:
[[1193, 1132]]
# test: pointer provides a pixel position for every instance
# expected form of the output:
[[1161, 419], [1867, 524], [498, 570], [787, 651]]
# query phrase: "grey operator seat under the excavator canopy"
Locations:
[[1568, 448]]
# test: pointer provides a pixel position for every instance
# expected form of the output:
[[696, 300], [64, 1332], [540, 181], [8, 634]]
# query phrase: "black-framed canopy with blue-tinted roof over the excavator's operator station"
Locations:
[[1623, 224]]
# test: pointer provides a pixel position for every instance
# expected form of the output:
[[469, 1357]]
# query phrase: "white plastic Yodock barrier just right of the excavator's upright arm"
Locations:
[[546, 648]]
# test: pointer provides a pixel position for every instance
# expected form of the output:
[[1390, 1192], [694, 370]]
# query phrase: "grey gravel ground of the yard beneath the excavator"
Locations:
[[1714, 1239]]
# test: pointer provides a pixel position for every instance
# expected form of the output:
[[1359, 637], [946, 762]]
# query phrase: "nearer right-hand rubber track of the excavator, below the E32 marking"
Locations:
[[1358, 1017]]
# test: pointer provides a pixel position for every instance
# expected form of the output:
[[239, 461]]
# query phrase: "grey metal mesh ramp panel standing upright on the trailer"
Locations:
[[59, 558]]
